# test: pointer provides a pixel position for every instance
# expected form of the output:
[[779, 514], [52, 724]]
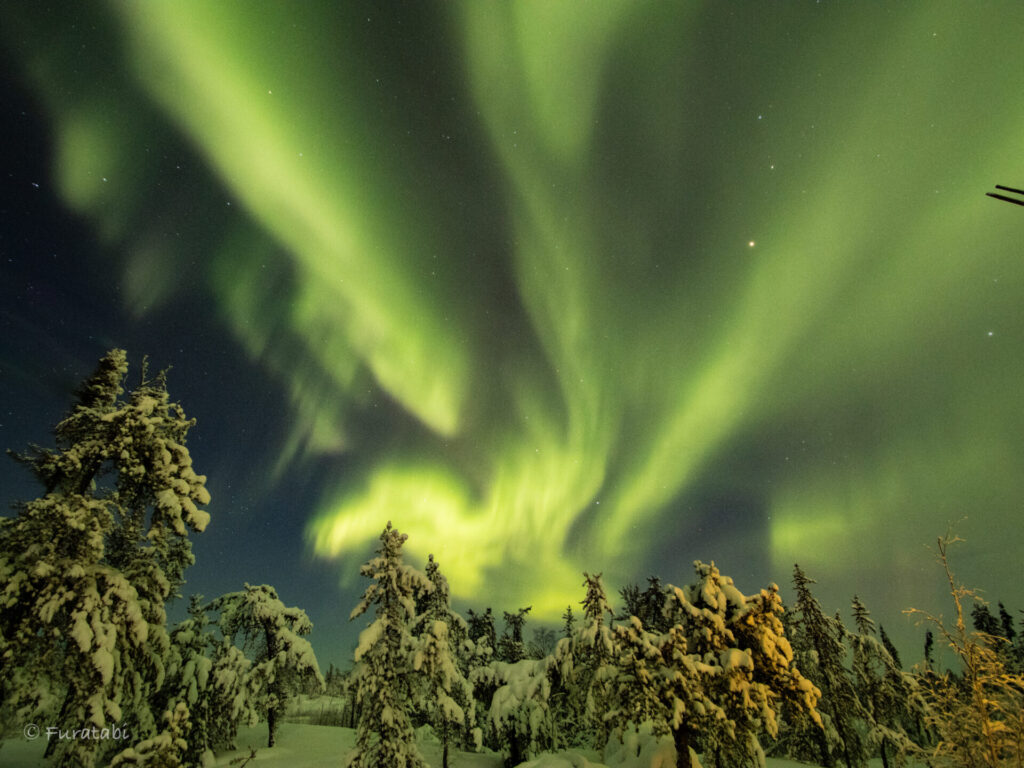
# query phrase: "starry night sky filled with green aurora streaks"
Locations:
[[554, 287]]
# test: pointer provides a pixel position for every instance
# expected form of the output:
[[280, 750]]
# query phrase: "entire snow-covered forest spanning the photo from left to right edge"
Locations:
[[694, 675]]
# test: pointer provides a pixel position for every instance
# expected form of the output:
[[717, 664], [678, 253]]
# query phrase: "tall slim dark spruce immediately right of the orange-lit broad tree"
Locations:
[[821, 655]]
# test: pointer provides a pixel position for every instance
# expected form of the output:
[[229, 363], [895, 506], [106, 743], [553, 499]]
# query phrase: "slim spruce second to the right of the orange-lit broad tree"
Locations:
[[889, 698]]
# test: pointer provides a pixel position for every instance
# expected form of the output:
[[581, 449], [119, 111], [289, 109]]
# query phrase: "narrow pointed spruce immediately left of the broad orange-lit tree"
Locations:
[[581, 660]]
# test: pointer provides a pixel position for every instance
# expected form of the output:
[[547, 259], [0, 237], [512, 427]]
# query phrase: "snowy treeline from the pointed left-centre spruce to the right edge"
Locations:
[[730, 676]]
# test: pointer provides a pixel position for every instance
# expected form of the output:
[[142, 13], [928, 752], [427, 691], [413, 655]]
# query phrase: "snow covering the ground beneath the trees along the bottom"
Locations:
[[302, 746]]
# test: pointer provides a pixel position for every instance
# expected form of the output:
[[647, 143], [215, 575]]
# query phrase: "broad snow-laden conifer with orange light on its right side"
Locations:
[[717, 678]]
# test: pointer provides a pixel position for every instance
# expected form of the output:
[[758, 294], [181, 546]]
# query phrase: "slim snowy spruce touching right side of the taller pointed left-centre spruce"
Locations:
[[445, 695]]
